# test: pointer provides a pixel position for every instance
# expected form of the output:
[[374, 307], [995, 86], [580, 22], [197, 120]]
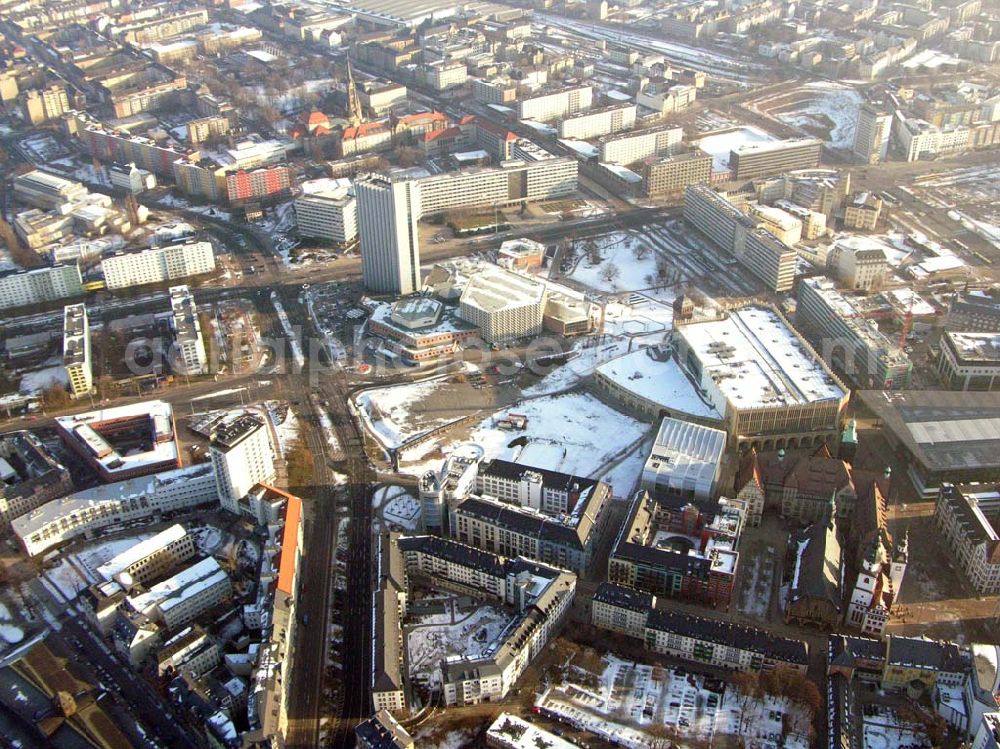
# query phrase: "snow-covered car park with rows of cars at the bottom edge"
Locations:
[[627, 699]]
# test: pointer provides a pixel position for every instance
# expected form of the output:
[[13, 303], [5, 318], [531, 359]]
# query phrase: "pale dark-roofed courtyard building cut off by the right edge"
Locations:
[[968, 517]]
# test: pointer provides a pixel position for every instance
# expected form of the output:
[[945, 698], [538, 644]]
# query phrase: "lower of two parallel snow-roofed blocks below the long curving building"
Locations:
[[179, 600]]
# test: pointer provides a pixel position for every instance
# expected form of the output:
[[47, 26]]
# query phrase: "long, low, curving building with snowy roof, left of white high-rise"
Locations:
[[91, 510]]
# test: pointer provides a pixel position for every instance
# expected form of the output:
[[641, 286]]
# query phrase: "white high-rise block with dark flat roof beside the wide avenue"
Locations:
[[242, 456]]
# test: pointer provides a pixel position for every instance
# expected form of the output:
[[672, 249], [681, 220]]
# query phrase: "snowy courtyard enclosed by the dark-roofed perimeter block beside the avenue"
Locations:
[[470, 634]]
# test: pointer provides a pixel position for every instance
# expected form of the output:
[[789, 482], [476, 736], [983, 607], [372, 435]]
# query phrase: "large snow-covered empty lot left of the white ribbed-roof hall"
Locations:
[[574, 433]]
